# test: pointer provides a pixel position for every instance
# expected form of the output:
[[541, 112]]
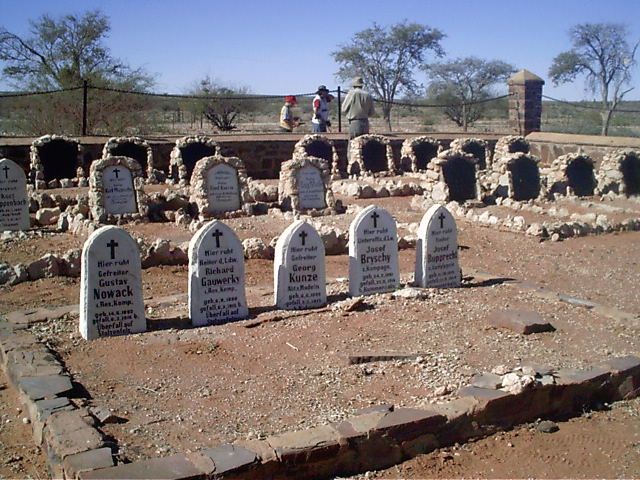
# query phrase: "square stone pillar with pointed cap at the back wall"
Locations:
[[525, 103]]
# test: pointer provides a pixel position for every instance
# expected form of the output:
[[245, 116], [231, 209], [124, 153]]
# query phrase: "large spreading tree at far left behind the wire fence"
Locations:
[[61, 53]]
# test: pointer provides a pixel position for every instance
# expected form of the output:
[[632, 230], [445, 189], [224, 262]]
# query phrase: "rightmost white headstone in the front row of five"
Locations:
[[437, 250]]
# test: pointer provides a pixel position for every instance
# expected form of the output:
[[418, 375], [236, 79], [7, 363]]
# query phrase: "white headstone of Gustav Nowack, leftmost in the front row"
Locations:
[[111, 285]]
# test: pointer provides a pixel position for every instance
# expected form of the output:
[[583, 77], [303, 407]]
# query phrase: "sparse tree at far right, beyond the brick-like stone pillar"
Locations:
[[602, 53]]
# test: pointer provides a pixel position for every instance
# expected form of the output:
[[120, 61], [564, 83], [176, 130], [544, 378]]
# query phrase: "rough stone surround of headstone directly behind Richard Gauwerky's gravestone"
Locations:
[[199, 183]]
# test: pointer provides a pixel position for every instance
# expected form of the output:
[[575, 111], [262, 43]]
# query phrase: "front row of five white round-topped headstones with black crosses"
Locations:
[[111, 279]]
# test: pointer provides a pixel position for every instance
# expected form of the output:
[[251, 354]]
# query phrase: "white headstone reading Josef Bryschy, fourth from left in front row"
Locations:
[[373, 253]]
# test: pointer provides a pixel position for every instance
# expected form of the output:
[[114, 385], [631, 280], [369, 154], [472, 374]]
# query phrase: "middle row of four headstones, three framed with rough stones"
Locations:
[[220, 186]]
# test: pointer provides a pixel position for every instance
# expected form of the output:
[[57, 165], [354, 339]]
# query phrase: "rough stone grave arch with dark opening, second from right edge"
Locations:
[[561, 180]]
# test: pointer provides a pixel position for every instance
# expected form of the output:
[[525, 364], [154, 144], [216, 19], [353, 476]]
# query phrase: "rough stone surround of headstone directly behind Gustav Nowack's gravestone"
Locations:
[[97, 190]]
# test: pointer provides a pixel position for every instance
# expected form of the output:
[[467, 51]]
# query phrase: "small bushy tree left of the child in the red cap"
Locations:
[[224, 105]]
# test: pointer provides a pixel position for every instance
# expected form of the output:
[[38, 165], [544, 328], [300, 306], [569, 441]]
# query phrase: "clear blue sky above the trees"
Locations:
[[284, 47]]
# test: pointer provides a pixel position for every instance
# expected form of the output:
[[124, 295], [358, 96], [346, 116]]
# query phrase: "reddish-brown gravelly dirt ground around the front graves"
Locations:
[[177, 389]]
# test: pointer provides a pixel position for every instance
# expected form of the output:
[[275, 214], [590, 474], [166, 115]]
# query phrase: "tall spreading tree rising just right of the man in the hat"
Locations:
[[387, 57]]
